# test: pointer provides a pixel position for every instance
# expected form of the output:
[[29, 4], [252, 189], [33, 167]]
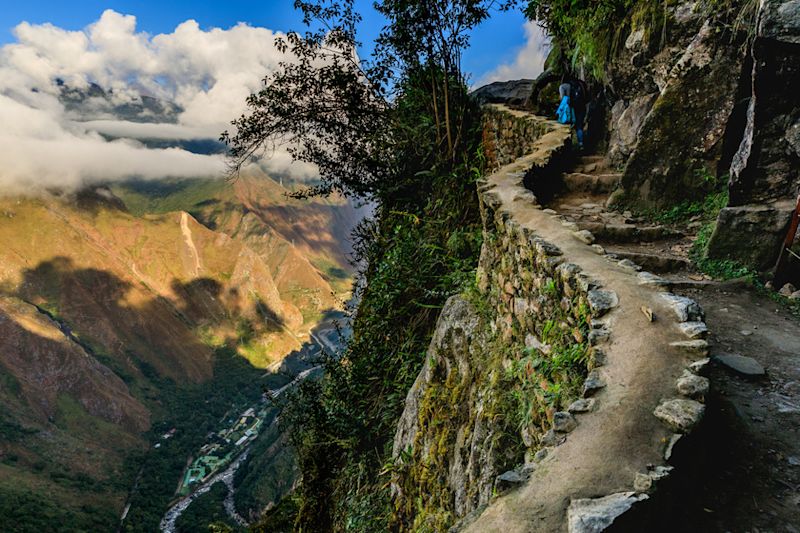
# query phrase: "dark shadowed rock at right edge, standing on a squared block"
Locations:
[[765, 173]]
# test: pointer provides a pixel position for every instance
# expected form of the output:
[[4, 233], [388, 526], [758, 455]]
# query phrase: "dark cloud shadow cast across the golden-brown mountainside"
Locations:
[[131, 327]]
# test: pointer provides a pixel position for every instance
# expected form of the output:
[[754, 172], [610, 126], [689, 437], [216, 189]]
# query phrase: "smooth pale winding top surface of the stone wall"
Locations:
[[612, 459]]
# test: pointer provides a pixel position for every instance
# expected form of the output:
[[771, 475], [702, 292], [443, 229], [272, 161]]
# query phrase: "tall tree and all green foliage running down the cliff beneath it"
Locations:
[[399, 128]]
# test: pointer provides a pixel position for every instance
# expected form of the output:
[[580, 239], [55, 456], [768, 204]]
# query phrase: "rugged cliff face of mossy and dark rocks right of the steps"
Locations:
[[708, 98]]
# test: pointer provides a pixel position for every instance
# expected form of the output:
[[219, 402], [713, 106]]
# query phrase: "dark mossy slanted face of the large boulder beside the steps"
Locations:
[[684, 130]]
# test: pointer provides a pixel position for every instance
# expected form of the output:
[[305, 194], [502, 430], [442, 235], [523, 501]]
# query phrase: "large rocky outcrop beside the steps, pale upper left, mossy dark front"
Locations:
[[692, 91]]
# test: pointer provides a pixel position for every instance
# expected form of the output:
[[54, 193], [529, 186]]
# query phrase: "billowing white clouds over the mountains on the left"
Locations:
[[207, 73]]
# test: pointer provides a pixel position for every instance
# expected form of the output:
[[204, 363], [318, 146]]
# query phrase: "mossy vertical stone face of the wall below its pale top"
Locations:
[[463, 425]]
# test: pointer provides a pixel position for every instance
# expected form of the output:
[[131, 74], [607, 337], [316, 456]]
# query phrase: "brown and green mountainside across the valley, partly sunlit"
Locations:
[[124, 317]]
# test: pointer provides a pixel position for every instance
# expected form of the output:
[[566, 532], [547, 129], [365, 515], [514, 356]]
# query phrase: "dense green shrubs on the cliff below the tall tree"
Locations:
[[342, 427]]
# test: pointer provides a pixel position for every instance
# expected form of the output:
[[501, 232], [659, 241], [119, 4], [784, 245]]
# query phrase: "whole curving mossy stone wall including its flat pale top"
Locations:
[[540, 379]]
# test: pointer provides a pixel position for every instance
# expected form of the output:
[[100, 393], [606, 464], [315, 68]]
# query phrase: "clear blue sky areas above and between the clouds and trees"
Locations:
[[497, 42]]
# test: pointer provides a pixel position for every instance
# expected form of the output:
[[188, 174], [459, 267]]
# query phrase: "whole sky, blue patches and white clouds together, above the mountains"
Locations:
[[191, 53]]
